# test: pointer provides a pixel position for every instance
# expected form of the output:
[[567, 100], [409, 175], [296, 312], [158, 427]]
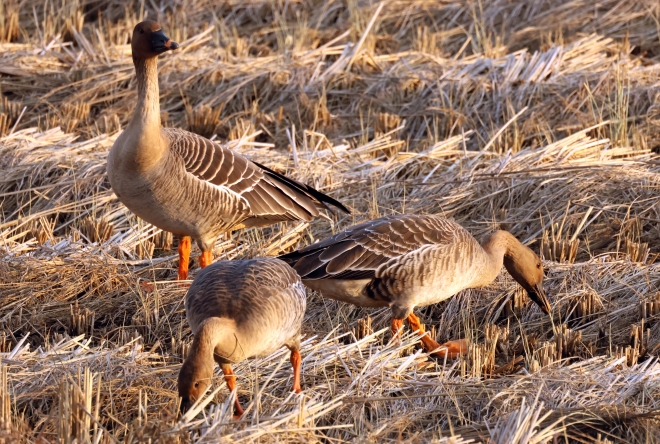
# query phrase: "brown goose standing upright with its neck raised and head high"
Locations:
[[188, 185]]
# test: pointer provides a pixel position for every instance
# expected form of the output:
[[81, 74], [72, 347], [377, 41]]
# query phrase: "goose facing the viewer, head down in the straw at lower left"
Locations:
[[238, 310]]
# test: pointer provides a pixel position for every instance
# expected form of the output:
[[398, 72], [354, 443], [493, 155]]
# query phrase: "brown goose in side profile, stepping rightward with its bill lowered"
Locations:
[[406, 261]]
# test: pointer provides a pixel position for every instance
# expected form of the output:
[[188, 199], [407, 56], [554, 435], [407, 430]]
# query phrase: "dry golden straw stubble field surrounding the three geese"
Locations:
[[542, 118]]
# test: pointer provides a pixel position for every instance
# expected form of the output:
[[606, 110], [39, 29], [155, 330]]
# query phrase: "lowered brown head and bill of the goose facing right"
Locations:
[[526, 268]]
